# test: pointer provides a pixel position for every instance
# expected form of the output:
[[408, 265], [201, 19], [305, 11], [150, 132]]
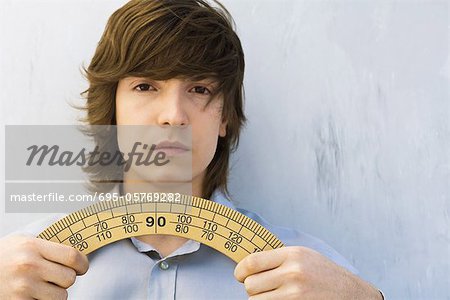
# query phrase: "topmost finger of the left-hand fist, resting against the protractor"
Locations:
[[64, 255]]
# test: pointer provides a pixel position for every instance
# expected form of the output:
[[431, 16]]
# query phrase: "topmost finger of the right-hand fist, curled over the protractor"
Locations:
[[259, 262]]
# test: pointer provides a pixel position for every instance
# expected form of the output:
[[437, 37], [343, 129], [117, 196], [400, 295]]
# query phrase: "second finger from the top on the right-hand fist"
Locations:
[[263, 282]]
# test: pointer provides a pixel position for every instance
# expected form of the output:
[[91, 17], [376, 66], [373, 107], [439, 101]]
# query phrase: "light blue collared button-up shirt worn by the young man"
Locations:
[[131, 269]]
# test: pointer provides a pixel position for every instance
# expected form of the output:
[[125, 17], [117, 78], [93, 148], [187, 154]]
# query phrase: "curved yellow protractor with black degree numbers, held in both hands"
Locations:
[[213, 224]]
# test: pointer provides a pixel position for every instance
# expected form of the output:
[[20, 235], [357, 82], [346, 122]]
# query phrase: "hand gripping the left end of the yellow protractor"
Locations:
[[35, 268]]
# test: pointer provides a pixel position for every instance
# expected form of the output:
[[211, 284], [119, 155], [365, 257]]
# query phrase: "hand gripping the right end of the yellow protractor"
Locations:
[[299, 273]]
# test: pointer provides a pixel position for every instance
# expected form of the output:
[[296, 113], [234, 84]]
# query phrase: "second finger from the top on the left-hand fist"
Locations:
[[60, 275]]
